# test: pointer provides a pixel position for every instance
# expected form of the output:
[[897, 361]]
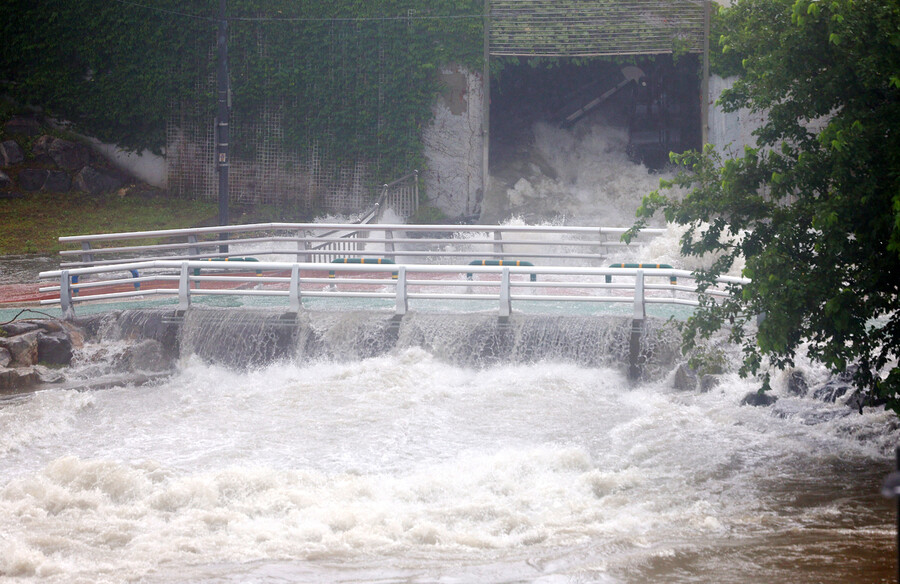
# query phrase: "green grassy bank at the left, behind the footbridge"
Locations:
[[32, 224]]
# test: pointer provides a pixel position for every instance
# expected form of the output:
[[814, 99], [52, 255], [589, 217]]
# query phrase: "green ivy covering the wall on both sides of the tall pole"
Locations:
[[347, 85]]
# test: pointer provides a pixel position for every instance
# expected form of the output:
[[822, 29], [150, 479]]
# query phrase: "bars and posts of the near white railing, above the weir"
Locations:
[[399, 278]]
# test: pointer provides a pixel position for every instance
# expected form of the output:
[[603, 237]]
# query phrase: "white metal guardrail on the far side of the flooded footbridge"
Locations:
[[323, 242]]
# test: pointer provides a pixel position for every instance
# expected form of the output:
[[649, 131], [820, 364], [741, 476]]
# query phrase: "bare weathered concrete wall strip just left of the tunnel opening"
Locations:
[[454, 144]]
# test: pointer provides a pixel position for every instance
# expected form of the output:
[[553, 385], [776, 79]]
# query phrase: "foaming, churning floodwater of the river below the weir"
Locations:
[[407, 468]]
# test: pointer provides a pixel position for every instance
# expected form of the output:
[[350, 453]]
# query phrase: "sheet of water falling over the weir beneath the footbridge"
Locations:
[[242, 338]]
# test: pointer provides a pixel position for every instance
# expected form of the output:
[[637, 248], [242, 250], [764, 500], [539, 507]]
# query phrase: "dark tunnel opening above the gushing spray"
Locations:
[[655, 99]]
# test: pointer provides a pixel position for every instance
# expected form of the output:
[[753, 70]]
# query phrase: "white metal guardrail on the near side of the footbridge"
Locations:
[[502, 285]]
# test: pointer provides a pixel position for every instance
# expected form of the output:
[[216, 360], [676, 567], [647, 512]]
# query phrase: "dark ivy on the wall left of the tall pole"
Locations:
[[110, 68]]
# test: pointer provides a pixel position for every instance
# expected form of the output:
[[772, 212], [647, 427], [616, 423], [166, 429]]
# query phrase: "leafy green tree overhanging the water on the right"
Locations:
[[814, 210]]
